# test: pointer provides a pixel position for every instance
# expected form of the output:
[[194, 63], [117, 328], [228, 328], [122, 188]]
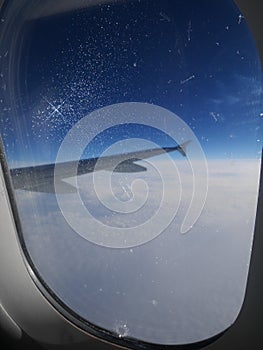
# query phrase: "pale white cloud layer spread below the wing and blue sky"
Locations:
[[197, 280]]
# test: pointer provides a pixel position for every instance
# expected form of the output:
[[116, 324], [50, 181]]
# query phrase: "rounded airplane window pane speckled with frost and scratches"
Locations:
[[133, 136]]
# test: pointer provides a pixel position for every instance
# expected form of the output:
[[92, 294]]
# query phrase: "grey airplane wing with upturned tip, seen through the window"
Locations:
[[40, 178]]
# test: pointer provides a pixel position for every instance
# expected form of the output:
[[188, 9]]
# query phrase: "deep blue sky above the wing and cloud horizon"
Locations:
[[195, 58]]
